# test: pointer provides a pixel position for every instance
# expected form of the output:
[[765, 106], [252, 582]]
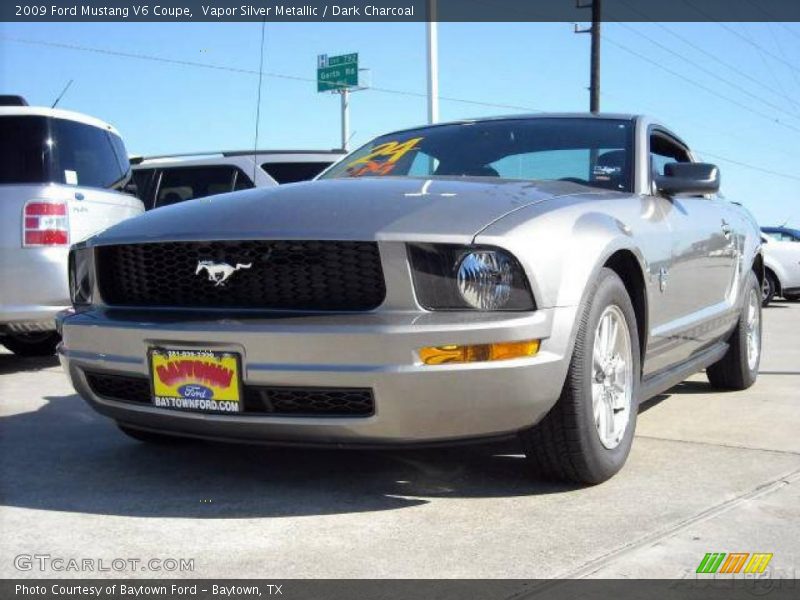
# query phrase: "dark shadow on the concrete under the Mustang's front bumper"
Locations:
[[65, 457]]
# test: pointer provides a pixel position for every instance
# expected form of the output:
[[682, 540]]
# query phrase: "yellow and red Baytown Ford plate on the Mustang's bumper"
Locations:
[[196, 380]]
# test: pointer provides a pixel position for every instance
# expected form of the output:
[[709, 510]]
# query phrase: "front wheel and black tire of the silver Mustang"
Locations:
[[567, 445]]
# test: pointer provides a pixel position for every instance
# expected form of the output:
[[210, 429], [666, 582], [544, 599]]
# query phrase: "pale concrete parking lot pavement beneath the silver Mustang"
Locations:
[[709, 472]]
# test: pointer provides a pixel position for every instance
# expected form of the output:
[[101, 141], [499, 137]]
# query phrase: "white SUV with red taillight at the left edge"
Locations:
[[61, 174]]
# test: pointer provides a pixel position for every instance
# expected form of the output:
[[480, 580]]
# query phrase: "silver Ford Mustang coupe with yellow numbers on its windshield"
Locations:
[[535, 277]]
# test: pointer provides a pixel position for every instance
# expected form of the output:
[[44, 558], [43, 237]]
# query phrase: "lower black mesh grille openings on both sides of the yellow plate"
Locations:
[[265, 400]]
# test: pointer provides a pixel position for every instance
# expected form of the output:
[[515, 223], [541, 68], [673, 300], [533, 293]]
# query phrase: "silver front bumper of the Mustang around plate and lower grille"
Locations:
[[414, 403]]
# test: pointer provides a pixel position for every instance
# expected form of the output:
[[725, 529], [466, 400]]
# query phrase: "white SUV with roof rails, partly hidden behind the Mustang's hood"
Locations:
[[164, 180]]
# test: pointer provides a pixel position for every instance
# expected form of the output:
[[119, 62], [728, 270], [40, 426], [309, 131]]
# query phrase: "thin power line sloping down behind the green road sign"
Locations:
[[242, 71]]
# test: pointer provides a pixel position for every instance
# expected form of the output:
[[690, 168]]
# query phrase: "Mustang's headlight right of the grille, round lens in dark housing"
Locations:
[[450, 277]]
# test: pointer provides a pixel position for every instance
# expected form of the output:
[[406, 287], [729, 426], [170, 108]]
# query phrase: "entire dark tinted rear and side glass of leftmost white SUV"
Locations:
[[37, 149]]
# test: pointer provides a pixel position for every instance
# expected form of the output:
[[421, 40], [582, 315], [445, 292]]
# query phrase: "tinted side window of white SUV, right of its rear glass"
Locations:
[[85, 156]]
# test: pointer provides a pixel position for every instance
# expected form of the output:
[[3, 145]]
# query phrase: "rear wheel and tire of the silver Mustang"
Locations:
[[738, 369]]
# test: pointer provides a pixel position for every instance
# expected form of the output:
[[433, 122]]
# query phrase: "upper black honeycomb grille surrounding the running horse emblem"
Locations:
[[282, 275]]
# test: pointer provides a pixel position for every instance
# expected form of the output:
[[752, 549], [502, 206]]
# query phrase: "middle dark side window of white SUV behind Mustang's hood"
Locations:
[[179, 184]]
